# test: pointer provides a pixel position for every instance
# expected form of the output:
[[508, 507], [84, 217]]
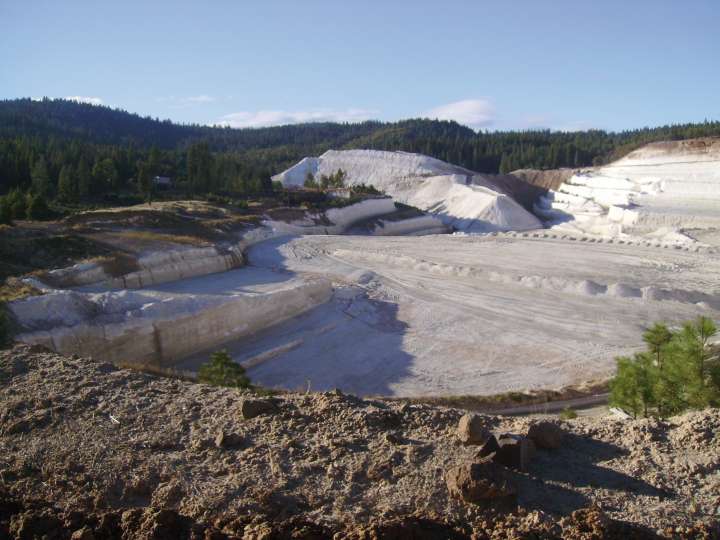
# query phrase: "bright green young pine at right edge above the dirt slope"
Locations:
[[679, 371]]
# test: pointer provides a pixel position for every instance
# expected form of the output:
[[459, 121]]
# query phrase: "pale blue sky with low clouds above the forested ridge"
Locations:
[[509, 64]]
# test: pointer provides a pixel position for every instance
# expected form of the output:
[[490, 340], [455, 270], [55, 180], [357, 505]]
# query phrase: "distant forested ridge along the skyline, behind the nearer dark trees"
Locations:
[[279, 146]]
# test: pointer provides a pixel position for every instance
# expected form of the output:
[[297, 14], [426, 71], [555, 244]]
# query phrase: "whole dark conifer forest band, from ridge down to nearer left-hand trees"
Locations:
[[84, 154]]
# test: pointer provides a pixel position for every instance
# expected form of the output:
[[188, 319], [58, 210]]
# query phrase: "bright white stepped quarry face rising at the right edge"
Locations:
[[660, 190]]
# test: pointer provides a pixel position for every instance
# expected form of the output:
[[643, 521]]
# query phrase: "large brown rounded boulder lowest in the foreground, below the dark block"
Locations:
[[479, 481]]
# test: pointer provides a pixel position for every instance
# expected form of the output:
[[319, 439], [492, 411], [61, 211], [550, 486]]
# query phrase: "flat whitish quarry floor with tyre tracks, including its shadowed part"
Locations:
[[454, 315]]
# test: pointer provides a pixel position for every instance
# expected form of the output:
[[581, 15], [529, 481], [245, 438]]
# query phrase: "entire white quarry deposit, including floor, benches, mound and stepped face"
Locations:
[[449, 283]]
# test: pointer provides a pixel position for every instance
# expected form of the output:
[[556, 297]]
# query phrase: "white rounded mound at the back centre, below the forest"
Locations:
[[461, 198]]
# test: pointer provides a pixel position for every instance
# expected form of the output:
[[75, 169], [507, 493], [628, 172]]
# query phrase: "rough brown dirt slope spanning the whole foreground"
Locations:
[[90, 450]]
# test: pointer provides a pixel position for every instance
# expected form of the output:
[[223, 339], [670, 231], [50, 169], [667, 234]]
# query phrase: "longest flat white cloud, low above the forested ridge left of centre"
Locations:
[[276, 118]]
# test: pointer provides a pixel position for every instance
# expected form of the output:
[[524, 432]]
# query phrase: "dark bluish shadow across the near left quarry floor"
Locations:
[[351, 342]]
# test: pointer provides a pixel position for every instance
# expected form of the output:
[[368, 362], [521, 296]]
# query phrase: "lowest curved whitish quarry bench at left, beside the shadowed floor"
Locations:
[[149, 328]]
